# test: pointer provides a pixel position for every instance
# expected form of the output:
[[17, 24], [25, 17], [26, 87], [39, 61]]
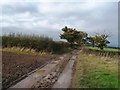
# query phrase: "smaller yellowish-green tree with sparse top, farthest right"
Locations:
[[101, 40]]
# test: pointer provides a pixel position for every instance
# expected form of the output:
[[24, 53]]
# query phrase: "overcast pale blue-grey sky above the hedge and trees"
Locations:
[[48, 18]]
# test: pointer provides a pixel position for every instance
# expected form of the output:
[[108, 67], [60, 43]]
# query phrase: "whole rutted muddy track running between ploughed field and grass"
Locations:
[[48, 75]]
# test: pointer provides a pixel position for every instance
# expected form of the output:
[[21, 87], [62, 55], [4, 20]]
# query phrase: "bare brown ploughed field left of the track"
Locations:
[[15, 65]]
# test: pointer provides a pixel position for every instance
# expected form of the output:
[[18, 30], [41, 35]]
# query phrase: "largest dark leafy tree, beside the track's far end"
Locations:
[[73, 36]]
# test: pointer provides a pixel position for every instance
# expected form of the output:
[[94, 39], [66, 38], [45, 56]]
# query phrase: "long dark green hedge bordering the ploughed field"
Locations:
[[38, 43]]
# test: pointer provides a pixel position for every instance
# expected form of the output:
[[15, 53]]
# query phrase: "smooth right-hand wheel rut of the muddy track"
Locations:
[[65, 78]]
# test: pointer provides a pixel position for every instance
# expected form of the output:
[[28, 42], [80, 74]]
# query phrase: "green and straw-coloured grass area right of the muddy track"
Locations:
[[95, 72]]
